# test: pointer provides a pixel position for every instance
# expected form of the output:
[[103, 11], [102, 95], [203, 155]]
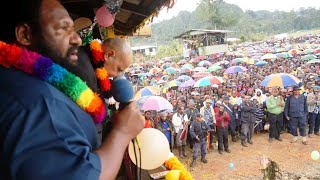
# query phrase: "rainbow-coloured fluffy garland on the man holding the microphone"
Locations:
[[29, 62]]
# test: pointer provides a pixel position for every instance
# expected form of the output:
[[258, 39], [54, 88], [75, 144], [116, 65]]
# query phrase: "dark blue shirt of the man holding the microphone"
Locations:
[[43, 133]]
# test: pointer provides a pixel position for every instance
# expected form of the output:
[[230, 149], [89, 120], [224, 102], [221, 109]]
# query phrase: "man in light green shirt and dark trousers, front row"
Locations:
[[275, 106]]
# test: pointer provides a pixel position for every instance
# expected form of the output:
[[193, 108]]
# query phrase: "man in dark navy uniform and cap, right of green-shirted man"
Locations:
[[296, 111]]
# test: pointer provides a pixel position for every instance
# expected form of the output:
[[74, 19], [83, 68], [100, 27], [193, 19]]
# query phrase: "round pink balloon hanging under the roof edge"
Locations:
[[104, 17]]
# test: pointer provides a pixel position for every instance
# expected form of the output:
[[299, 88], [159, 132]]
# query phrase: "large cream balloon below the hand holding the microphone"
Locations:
[[154, 149]]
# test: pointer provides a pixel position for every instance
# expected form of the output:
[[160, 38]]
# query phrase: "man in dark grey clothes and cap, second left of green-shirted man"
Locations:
[[247, 121]]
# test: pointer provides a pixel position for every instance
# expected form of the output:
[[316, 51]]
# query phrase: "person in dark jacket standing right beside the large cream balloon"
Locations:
[[166, 127]]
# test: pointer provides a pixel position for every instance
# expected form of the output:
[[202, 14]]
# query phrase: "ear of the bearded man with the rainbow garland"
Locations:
[[23, 34]]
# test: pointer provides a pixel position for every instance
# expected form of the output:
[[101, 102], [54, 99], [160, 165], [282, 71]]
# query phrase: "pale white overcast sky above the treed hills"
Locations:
[[270, 5]]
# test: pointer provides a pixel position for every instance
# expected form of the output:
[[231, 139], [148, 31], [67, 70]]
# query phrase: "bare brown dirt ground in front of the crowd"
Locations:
[[294, 160]]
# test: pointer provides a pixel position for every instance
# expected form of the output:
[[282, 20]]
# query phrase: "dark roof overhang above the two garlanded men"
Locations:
[[132, 15]]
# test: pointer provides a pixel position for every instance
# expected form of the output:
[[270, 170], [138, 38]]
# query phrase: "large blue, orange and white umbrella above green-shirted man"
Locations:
[[280, 80]]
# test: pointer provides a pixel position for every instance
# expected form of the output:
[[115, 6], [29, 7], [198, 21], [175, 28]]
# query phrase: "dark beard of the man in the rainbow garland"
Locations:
[[52, 52]]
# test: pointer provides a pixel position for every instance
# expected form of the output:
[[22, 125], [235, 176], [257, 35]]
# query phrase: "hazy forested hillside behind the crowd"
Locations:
[[217, 14]]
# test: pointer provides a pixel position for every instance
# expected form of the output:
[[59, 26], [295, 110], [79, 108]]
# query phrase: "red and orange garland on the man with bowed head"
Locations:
[[98, 60]]
